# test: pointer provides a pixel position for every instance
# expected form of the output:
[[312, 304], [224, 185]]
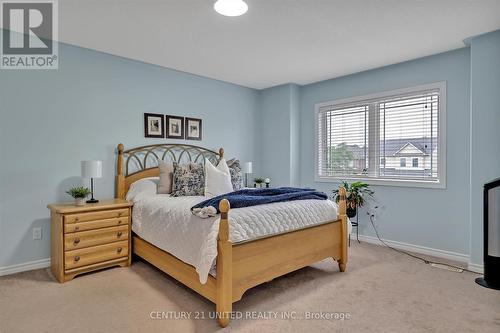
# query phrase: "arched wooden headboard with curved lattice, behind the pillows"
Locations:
[[141, 162]]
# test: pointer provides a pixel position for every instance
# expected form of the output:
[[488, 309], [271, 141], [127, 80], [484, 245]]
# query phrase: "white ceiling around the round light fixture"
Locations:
[[277, 41]]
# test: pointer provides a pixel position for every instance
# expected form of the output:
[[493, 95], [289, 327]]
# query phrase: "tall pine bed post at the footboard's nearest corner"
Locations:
[[224, 267]]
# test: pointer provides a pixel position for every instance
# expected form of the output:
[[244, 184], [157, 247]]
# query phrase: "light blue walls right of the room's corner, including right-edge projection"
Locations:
[[445, 219]]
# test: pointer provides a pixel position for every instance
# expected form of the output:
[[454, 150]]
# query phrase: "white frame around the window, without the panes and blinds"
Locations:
[[370, 98]]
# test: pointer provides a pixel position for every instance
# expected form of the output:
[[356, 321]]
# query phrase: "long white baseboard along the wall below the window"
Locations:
[[459, 257]]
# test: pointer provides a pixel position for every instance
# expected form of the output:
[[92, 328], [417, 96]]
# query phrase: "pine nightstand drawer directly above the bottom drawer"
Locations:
[[83, 239]]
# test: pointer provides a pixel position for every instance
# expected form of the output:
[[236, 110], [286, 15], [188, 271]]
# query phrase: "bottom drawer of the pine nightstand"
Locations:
[[95, 254]]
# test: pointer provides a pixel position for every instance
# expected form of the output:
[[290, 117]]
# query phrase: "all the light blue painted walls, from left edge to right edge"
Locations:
[[51, 120]]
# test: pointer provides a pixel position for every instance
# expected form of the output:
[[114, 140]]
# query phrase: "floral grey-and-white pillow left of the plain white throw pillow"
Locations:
[[188, 179]]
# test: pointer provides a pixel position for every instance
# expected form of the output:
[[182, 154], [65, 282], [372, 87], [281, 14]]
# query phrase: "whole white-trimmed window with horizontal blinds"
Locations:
[[372, 137]]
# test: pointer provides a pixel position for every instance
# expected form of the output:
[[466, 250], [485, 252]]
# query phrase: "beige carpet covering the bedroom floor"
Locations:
[[382, 291]]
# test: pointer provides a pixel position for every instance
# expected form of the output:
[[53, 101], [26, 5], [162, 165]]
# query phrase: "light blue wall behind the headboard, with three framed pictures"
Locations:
[[51, 120]]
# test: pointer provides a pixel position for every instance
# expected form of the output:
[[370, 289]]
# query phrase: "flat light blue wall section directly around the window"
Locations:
[[432, 218]]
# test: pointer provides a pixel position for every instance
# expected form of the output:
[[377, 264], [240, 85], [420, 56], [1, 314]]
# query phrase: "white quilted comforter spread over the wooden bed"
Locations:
[[167, 222]]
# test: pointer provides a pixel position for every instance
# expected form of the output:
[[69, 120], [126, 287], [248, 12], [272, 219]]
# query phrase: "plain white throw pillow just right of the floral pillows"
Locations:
[[217, 179]]
